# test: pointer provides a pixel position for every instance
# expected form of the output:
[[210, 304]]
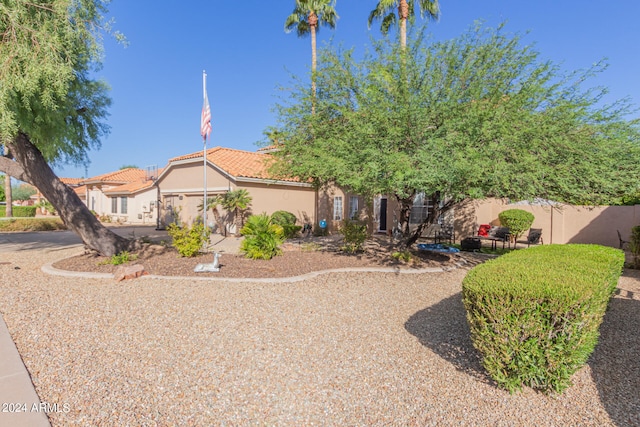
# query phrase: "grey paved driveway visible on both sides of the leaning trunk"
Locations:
[[55, 240]]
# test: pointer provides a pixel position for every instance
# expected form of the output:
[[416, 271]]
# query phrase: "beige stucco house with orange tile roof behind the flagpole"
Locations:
[[180, 187]]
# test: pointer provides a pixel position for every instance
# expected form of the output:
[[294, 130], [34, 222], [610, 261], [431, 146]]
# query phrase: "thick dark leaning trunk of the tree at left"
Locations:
[[72, 211]]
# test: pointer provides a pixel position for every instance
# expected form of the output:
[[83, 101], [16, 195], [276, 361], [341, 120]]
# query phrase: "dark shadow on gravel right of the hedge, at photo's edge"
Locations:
[[615, 364]]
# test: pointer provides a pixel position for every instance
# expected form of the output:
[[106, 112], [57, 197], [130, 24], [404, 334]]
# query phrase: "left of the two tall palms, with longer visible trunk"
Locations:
[[306, 18]]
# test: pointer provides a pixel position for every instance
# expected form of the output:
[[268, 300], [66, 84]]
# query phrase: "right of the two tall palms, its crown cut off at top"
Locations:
[[384, 10]]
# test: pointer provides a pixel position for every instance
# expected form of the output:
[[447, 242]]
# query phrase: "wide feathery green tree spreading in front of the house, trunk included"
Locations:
[[473, 117]]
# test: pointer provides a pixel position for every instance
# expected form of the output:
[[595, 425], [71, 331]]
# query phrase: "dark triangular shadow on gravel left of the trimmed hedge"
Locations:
[[443, 328]]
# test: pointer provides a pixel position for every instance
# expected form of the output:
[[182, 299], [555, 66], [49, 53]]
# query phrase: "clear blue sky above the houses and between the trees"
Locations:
[[156, 81]]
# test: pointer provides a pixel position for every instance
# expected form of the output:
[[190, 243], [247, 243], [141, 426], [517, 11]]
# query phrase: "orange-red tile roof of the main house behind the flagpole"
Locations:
[[238, 163]]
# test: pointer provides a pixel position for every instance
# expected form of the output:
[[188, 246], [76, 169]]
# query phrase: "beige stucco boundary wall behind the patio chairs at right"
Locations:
[[560, 223]]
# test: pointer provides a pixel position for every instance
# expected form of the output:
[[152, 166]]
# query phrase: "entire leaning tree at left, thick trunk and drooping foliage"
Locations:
[[51, 109]]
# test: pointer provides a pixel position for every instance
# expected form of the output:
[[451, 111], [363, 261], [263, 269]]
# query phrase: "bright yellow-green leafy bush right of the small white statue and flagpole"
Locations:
[[262, 238]]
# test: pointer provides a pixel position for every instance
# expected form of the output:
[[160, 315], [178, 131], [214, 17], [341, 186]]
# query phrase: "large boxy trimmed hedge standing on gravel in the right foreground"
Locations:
[[534, 315]]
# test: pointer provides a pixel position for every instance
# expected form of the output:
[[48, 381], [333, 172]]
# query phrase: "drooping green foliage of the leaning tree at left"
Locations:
[[49, 48]]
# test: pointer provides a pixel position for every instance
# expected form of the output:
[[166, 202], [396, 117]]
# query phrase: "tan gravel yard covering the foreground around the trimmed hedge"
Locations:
[[355, 349]]
